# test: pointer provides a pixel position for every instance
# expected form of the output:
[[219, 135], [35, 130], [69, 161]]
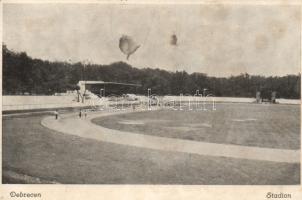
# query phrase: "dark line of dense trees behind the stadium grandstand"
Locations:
[[25, 75]]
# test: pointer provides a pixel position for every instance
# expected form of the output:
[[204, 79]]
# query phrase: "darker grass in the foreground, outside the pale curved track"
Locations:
[[31, 150]]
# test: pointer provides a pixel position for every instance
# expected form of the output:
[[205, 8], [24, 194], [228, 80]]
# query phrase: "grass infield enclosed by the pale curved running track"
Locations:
[[273, 126]]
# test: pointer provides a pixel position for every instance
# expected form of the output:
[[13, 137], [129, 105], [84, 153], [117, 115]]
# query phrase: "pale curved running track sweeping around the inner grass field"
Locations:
[[71, 124]]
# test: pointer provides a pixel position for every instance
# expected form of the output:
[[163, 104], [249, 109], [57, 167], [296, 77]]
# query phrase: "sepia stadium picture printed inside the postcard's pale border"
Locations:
[[151, 94]]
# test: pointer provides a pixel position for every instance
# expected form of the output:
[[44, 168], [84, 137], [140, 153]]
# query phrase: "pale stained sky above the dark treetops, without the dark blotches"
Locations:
[[219, 40]]
